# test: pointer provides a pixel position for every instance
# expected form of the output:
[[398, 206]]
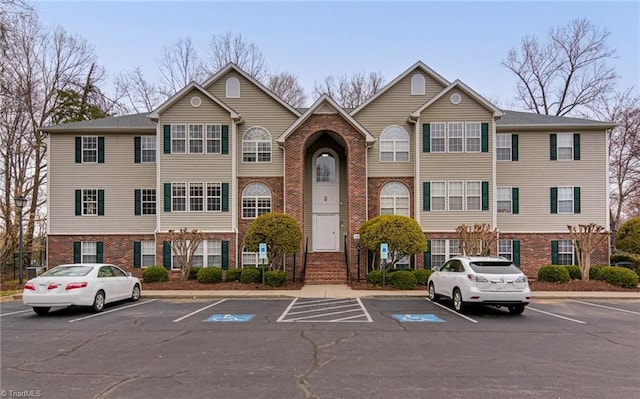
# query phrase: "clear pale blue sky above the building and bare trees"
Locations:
[[459, 40]]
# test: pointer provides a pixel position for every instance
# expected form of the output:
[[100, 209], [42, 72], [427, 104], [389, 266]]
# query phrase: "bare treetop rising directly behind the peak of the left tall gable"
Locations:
[[235, 48]]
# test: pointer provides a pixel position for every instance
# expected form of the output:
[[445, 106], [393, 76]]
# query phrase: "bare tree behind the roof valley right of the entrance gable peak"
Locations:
[[350, 91]]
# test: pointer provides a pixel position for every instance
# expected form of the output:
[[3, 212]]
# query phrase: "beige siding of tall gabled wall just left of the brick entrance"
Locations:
[[257, 109]]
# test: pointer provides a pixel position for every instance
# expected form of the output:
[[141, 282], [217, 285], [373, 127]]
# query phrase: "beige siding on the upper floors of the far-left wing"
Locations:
[[119, 177]]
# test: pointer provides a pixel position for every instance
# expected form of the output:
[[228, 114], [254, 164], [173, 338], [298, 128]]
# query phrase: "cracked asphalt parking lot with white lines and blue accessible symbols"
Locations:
[[322, 348]]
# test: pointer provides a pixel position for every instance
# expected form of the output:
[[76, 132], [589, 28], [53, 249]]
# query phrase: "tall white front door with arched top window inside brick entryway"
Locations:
[[326, 202]]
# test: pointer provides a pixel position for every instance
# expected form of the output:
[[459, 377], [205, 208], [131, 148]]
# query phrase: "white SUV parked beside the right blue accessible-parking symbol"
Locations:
[[480, 280]]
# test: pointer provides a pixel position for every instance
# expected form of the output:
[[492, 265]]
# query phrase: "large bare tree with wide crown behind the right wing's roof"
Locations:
[[565, 73]]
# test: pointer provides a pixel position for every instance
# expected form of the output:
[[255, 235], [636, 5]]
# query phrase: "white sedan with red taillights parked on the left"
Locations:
[[91, 284]]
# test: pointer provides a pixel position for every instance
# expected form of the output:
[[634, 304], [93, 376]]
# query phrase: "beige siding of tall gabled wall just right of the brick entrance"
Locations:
[[393, 108]]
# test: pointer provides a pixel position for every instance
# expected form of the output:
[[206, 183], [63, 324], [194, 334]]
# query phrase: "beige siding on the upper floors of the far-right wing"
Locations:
[[534, 174]]
